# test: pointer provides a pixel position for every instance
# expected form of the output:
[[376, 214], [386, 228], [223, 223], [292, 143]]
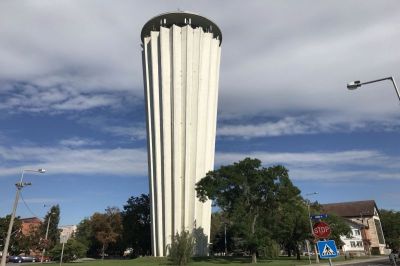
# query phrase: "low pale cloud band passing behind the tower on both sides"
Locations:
[[326, 166]]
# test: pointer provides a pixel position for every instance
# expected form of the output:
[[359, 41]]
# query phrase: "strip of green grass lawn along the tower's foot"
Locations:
[[150, 261]]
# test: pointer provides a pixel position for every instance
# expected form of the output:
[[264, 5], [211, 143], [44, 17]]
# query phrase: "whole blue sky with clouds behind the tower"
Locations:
[[72, 101]]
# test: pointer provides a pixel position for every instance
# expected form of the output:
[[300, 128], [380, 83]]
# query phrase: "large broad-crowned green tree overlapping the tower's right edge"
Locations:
[[246, 192]]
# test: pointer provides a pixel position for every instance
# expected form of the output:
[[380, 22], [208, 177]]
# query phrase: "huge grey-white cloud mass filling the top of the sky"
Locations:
[[287, 64]]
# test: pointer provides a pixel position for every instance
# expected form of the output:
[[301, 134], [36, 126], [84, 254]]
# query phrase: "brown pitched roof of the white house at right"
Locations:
[[351, 208]]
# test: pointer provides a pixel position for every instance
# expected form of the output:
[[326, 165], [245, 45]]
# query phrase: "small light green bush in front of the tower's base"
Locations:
[[181, 249]]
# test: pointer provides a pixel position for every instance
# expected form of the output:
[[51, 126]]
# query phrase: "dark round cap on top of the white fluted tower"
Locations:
[[181, 18]]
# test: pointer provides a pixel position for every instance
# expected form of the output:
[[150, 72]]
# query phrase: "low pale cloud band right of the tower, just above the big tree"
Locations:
[[326, 166]]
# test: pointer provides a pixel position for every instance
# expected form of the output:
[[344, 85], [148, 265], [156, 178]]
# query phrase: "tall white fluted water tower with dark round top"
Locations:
[[181, 58]]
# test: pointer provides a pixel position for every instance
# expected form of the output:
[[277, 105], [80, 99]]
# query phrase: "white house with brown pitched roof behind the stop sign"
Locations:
[[363, 218]]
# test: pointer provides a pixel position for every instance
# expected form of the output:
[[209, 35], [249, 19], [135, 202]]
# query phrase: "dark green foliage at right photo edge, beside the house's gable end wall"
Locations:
[[390, 220]]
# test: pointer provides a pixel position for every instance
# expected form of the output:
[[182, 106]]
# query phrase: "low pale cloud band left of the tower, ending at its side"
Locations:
[[64, 160]]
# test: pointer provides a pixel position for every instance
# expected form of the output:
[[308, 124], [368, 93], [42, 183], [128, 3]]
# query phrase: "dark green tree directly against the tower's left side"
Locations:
[[136, 225]]
